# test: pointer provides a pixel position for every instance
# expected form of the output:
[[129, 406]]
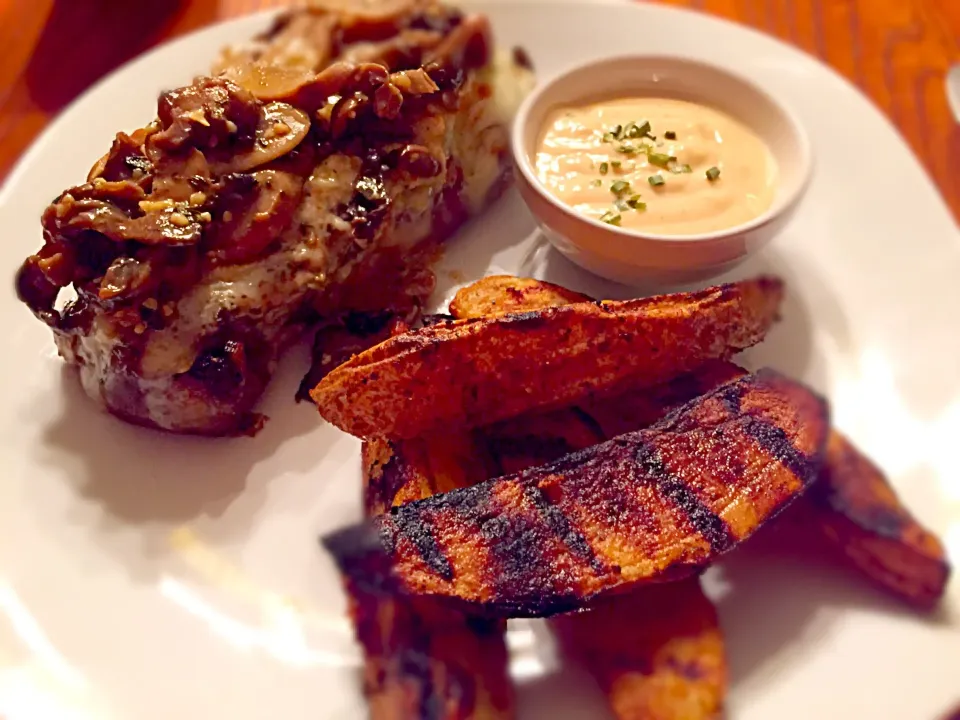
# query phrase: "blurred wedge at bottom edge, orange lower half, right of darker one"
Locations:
[[656, 653]]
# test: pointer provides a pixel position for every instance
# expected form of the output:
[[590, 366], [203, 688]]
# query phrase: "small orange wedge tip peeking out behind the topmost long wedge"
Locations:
[[500, 294]]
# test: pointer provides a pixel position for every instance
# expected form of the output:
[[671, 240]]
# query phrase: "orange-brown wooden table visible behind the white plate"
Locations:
[[896, 51]]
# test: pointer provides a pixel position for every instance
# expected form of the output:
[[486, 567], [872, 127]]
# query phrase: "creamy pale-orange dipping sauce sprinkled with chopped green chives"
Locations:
[[656, 165]]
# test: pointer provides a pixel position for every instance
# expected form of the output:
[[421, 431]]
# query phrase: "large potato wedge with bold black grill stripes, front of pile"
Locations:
[[652, 505]]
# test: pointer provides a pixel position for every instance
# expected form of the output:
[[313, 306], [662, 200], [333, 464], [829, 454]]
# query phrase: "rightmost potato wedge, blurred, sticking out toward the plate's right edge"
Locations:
[[859, 512]]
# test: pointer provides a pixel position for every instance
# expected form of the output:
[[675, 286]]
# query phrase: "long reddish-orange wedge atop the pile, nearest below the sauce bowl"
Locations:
[[464, 373]]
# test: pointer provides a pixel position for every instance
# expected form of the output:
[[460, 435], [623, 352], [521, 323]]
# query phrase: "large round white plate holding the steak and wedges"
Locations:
[[150, 577]]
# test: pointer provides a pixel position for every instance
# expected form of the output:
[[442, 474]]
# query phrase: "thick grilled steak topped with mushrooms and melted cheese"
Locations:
[[260, 198]]
